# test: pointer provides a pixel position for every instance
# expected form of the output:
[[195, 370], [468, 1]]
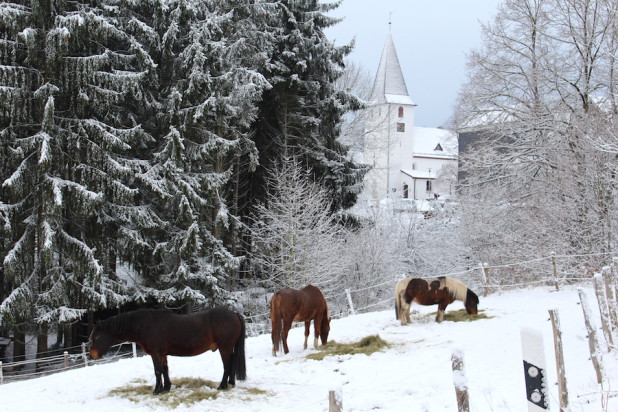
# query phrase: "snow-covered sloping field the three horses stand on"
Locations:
[[413, 374]]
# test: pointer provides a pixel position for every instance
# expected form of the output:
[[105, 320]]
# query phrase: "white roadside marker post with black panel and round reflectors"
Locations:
[[534, 370]]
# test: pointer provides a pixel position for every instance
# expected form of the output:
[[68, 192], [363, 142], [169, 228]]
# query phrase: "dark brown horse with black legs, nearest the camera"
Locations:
[[160, 333]]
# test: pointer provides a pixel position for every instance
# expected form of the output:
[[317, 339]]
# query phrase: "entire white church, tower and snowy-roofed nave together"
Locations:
[[408, 162]]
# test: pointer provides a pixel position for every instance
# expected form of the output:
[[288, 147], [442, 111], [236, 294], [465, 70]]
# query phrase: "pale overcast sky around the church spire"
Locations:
[[432, 38]]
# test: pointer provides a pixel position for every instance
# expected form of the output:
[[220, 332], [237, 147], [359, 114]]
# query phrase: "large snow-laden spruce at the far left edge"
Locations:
[[73, 79]]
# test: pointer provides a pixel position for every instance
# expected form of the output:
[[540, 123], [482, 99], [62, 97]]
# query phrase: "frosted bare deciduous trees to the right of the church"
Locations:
[[541, 86]]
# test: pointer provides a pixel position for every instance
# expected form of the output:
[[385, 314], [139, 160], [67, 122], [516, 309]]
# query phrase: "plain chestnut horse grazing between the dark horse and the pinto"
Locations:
[[304, 305]]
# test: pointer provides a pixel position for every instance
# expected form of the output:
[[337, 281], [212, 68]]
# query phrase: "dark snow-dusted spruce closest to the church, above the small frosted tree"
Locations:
[[301, 114]]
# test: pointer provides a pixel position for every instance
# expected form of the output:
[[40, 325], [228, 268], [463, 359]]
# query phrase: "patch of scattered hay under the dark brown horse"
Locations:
[[185, 391]]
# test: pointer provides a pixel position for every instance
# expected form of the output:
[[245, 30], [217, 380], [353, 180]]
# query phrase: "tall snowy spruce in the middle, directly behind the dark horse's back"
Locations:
[[208, 91]]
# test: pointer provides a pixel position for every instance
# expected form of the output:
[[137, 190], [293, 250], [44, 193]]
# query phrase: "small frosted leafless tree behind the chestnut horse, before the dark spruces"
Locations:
[[297, 239]]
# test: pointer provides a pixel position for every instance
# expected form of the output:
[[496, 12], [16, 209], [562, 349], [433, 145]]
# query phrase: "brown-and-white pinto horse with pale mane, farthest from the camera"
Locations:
[[442, 292]]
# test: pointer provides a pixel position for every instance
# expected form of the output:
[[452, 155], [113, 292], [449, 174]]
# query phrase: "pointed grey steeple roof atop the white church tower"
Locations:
[[389, 86]]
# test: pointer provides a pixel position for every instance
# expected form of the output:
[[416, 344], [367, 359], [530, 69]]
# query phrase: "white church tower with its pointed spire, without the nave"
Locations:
[[389, 128]]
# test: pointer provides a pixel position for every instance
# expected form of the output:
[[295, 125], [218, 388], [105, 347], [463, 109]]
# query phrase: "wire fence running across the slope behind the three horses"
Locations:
[[343, 302]]
